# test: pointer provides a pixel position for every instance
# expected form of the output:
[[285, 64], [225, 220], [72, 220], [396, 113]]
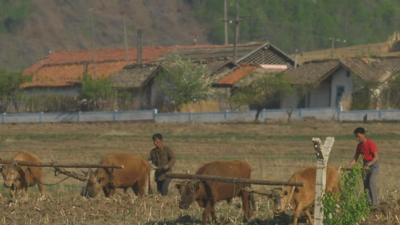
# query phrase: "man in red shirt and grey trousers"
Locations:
[[367, 148]]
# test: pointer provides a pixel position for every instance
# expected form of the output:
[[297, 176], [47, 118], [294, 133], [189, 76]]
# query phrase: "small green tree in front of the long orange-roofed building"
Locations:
[[93, 91]]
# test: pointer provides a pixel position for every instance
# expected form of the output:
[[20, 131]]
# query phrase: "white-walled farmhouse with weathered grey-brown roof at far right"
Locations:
[[333, 83]]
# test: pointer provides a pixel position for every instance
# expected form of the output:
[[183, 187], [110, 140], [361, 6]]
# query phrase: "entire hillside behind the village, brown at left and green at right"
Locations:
[[29, 29]]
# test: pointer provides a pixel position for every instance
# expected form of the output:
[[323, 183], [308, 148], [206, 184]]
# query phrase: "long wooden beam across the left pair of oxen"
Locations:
[[60, 165]]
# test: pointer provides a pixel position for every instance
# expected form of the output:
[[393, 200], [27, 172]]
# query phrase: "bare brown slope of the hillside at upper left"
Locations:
[[29, 29]]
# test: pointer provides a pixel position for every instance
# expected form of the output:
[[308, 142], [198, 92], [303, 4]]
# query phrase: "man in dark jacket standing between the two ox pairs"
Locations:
[[162, 159]]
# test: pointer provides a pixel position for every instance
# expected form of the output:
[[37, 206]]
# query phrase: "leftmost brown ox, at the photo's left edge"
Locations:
[[19, 178]]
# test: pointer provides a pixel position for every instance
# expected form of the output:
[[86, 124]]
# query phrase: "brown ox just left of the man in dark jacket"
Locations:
[[135, 174]]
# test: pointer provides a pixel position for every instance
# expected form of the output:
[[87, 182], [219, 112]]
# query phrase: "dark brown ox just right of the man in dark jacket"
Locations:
[[208, 193]]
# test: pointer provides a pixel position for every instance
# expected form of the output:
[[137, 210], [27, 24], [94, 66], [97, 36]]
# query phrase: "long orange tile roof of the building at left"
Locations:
[[64, 68]]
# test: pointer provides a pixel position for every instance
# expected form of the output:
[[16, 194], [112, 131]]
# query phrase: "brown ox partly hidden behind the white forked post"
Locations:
[[303, 198]]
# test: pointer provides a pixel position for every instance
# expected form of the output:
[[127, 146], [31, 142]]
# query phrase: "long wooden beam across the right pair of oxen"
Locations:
[[232, 180]]
